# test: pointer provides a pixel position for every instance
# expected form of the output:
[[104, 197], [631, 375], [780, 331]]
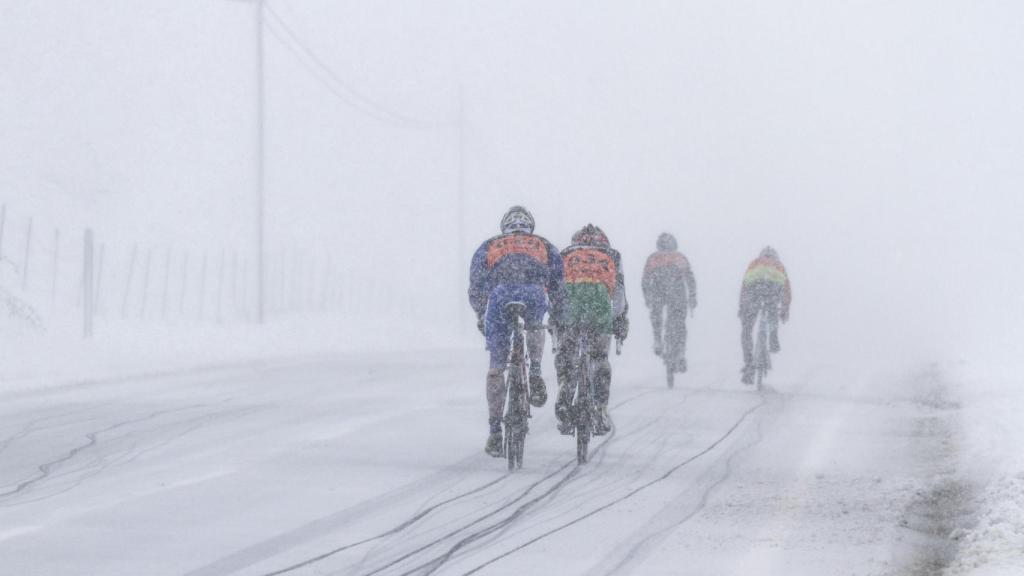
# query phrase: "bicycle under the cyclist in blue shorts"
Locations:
[[518, 413]]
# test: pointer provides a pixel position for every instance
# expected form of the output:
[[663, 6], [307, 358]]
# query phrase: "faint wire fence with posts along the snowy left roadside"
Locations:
[[63, 275]]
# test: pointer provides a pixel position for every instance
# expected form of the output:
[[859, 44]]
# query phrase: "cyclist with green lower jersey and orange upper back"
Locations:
[[594, 309]]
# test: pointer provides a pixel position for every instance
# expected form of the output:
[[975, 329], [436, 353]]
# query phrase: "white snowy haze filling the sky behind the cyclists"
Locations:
[[876, 145]]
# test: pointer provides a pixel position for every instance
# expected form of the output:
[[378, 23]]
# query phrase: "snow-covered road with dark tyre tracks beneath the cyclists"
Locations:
[[373, 465]]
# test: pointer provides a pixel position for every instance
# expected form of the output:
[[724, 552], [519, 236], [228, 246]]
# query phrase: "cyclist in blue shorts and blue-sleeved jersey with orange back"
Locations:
[[516, 267]]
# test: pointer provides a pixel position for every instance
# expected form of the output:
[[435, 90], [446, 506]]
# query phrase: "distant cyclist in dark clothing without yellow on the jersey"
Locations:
[[670, 291]]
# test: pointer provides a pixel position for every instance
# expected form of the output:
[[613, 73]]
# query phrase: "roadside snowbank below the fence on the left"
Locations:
[[48, 358]]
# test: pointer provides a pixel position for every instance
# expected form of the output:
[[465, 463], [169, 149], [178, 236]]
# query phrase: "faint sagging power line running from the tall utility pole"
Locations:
[[335, 85]]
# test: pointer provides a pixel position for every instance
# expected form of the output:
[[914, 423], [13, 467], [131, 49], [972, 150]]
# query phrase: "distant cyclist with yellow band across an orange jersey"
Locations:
[[765, 289]]
